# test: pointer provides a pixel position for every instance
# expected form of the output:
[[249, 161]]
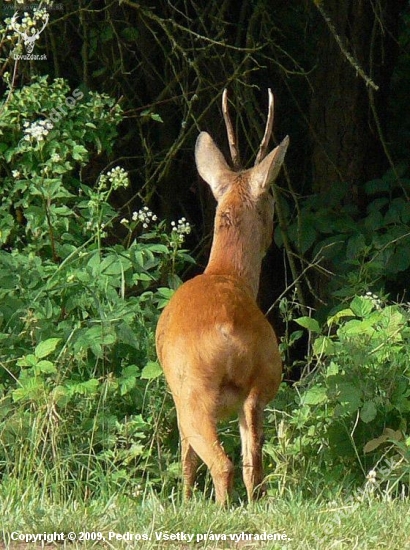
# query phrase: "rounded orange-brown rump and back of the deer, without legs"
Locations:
[[219, 348]]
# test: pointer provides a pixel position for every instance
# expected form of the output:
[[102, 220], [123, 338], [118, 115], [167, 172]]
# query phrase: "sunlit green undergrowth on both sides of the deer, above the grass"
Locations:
[[85, 415]]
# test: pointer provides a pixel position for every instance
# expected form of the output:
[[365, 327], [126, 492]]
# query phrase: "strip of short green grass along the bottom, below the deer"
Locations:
[[349, 523]]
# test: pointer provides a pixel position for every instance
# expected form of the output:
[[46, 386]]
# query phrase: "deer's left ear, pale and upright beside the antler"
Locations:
[[211, 165]]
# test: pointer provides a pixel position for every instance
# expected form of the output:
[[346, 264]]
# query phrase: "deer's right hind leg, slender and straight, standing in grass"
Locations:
[[251, 430]]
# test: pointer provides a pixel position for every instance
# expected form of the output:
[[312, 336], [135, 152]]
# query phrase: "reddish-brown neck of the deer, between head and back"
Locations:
[[235, 251]]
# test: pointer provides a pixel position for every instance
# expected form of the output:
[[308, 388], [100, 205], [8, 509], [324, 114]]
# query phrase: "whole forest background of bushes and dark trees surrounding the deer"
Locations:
[[100, 203]]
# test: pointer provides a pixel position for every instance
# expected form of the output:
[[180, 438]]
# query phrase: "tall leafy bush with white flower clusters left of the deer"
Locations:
[[77, 316]]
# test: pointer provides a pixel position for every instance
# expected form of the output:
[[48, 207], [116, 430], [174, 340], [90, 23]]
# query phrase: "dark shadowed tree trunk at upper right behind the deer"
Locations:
[[347, 145]]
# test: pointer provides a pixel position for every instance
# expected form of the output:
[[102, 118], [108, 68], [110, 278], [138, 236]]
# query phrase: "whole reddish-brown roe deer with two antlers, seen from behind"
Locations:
[[219, 354]]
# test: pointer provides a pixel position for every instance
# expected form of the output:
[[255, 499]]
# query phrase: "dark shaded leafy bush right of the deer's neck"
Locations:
[[365, 249]]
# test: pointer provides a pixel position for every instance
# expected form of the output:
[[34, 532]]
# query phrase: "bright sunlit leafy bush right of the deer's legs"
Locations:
[[351, 408]]
